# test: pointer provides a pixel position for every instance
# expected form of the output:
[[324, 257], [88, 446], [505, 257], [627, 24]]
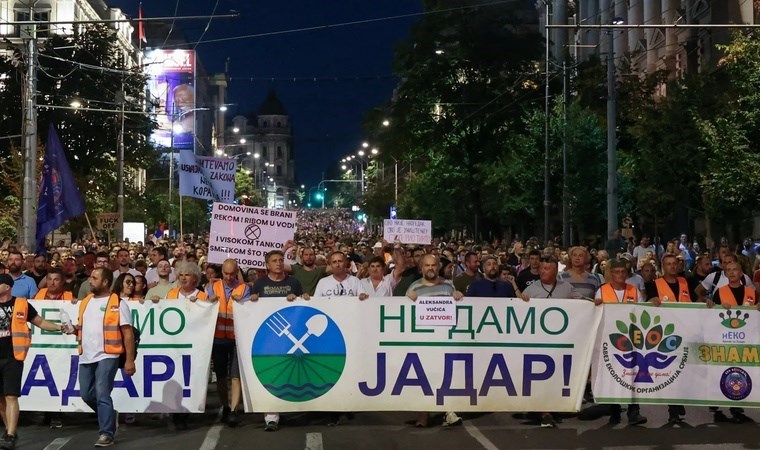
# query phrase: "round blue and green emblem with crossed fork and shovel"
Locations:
[[298, 354]]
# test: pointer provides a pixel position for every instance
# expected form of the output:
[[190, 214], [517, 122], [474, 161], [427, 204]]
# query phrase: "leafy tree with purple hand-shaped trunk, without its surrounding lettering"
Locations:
[[645, 344]]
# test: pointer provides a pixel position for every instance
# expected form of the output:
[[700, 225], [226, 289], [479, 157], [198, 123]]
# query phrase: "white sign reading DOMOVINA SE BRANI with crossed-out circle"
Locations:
[[247, 233]]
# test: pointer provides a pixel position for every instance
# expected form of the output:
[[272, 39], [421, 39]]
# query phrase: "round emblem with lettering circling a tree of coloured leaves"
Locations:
[[644, 348]]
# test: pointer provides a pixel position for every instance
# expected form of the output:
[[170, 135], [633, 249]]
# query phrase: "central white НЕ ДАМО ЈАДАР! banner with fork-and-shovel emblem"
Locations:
[[342, 354]]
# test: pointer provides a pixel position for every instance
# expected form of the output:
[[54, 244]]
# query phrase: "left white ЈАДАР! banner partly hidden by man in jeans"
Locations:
[[172, 360]]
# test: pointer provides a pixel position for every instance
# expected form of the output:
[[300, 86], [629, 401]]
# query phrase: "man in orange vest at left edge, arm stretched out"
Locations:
[[15, 339]]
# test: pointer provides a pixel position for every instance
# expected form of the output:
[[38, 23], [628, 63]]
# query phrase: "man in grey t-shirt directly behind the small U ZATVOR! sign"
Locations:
[[432, 285]]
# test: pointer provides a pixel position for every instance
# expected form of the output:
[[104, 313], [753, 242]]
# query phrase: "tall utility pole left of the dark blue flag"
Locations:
[[28, 204]]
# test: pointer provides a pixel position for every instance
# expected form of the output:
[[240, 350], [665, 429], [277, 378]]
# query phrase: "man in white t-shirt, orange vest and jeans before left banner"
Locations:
[[104, 331]]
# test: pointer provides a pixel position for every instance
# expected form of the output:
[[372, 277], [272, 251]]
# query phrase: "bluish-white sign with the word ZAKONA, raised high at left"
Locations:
[[207, 177]]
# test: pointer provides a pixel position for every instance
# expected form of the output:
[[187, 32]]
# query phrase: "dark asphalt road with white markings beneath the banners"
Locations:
[[390, 431]]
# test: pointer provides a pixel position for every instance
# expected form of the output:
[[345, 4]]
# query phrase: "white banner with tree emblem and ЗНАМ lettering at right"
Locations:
[[678, 354]]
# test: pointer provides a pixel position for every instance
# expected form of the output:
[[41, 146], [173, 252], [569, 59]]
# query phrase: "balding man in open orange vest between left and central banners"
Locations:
[[223, 352]]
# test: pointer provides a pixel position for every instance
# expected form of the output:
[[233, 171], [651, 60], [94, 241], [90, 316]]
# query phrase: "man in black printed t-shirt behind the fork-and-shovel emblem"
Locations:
[[277, 283]]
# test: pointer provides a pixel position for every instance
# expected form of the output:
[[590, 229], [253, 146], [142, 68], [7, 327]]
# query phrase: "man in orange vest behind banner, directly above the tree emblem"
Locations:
[[618, 291]]
